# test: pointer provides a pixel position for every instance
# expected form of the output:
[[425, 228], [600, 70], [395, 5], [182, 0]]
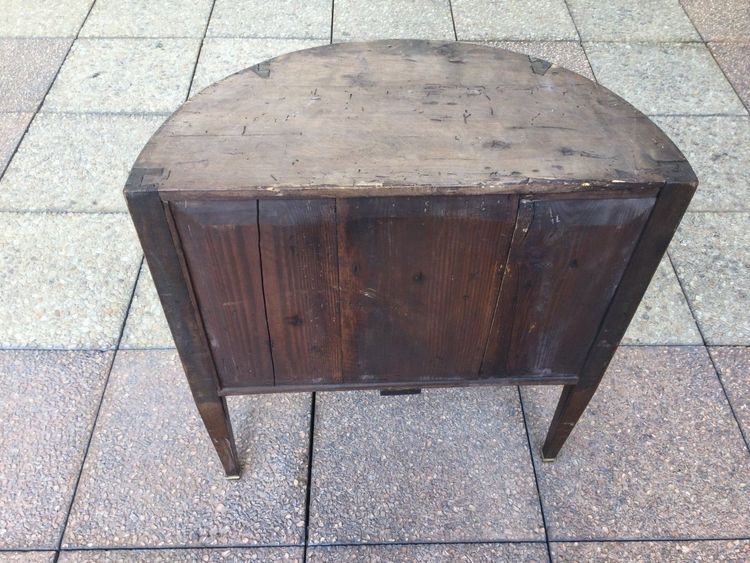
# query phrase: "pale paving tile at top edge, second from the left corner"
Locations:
[[142, 18]]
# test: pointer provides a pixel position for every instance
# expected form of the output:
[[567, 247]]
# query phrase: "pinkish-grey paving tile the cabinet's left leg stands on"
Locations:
[[152, 477]]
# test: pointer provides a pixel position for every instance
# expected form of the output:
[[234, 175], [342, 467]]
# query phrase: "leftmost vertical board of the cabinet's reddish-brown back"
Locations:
[[220, 242]]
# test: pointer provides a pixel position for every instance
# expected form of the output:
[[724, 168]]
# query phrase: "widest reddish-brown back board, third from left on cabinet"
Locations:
[[419, 281]]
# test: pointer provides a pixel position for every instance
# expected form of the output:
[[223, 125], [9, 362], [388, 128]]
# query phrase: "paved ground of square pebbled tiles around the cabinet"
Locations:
[[102, 456]]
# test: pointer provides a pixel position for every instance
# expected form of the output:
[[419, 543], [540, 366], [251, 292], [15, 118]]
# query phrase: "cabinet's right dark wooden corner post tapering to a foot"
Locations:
[[670, 206]]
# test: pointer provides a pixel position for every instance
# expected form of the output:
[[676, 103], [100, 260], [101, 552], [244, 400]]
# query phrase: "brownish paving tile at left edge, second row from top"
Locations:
[[27, 68]]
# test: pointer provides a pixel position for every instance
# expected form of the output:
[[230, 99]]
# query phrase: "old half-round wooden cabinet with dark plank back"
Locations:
[[403, 214]]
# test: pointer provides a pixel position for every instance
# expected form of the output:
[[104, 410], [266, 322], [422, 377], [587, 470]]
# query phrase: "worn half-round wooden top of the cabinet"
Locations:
[[405, 117]]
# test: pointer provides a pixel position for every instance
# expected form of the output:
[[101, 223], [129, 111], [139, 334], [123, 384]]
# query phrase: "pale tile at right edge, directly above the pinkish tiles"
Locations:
[[710, 254]]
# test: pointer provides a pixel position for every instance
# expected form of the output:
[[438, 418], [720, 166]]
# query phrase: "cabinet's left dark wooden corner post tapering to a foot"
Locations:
[[151, 222]]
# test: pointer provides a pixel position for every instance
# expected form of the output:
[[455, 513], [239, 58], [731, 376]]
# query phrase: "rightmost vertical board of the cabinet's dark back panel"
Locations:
[[566, 260]]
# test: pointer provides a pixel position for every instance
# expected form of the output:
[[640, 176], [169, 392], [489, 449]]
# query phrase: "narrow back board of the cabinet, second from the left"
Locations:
[[300, 271]]
